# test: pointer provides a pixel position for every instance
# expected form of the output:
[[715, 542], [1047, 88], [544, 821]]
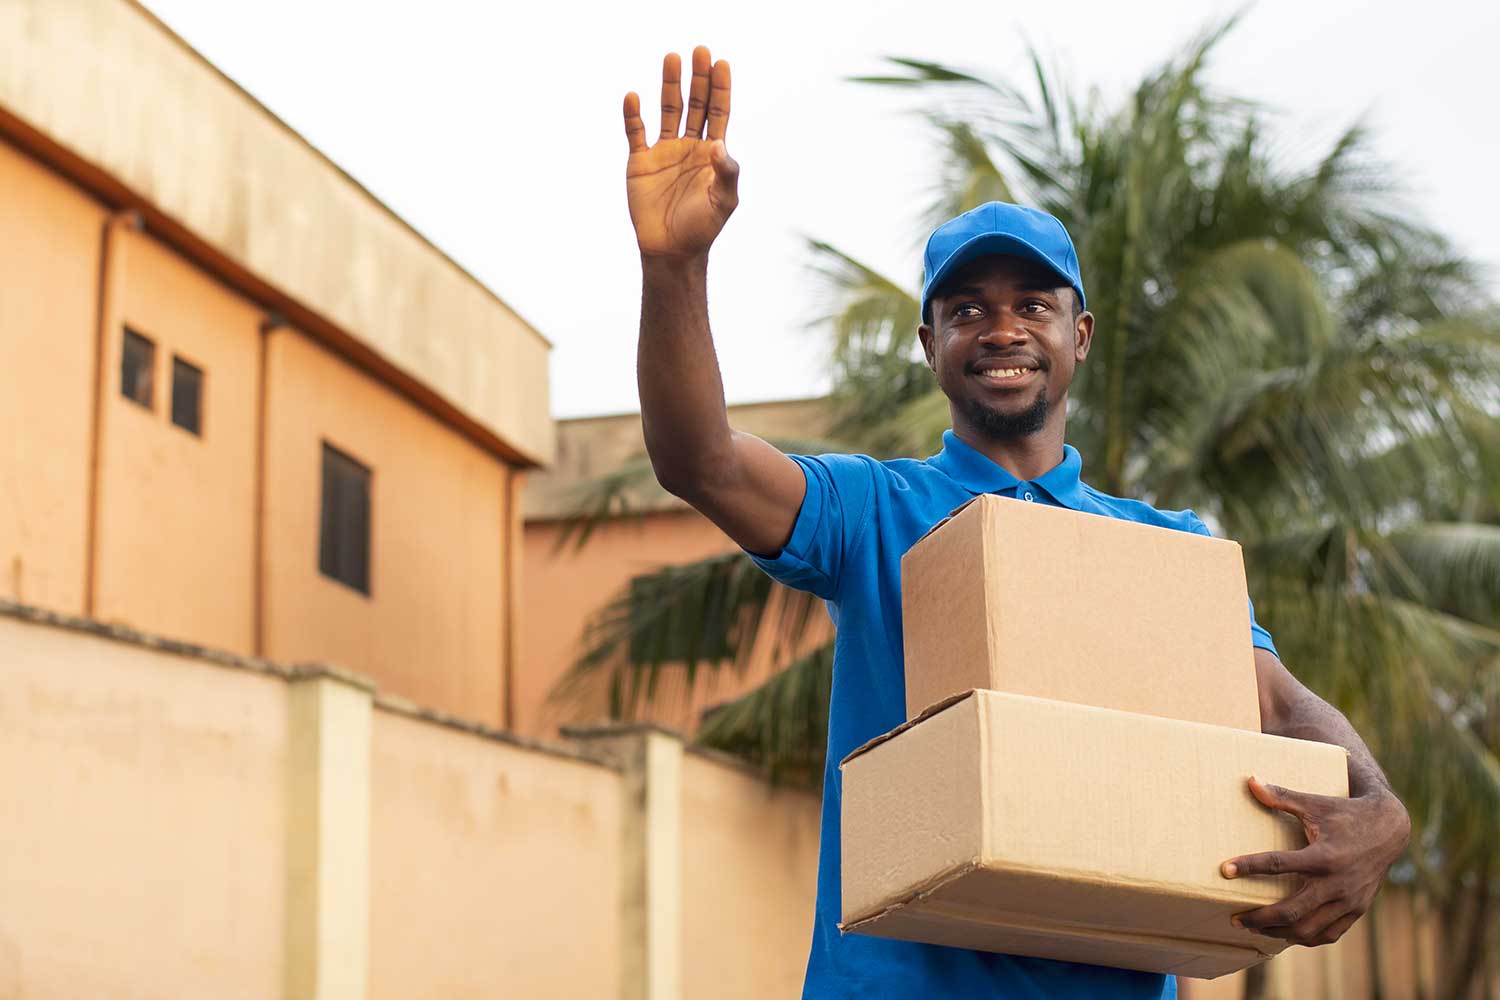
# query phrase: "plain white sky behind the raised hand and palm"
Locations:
[[496, 131]]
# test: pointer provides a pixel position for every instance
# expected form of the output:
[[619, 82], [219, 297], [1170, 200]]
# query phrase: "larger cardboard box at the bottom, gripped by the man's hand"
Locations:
[[1028, 827]]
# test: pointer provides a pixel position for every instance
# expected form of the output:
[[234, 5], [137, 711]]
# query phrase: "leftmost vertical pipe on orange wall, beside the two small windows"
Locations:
[[107, 298]]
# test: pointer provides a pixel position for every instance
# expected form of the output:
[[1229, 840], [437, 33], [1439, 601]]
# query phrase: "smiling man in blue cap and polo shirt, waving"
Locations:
[[1004, 328]]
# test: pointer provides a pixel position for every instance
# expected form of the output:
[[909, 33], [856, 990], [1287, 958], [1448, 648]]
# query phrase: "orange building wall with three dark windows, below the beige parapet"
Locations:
[[110, 510]]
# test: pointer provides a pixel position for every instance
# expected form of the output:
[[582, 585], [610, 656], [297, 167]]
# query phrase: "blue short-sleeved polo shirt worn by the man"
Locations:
[[857, 521]]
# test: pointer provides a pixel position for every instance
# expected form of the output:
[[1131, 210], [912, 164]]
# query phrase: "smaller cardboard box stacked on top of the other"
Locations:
[[1145, 620]]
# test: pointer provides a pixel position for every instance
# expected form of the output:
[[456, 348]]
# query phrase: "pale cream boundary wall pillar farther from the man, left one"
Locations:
[[328, 836]]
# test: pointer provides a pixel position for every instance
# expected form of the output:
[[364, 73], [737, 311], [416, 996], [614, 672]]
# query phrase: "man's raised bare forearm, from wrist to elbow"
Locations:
[[677, 371]]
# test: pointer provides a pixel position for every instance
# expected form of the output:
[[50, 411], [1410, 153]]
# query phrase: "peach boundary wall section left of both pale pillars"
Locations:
[[142, 855]]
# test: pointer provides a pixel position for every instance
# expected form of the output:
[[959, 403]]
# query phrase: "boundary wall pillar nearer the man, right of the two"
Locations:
[[652, 857]]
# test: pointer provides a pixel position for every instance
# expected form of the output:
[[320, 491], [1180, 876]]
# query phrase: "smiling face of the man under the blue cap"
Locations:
[[1004, 343]]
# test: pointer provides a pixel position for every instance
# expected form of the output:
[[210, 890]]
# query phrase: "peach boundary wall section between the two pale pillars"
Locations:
[[497, 869]]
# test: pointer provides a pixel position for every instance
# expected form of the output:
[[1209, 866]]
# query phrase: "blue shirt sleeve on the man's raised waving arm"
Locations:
[[829, 525]]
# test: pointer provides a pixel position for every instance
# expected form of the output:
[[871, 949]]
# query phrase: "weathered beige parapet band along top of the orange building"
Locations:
[[110, 86]]
